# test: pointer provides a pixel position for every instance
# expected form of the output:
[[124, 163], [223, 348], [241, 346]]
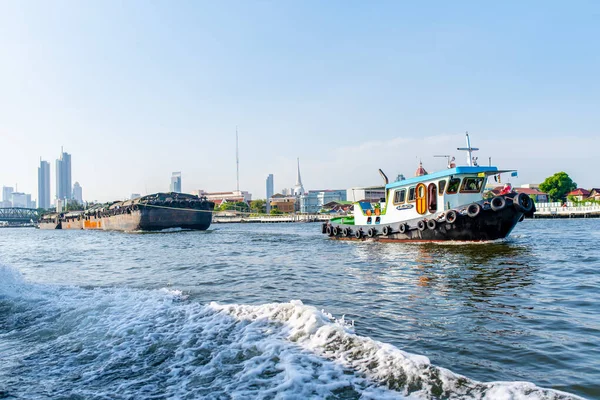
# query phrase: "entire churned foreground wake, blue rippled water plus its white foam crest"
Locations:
[[124, 343]]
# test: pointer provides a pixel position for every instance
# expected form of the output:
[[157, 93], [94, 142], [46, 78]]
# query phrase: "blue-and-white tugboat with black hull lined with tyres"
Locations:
[[445, 205]]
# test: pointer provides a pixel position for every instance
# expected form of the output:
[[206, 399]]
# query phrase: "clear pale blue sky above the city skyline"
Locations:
[[135, 90]]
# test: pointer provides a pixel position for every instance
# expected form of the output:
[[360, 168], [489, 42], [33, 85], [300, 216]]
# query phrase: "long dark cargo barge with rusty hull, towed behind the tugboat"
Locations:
[[153, 212]]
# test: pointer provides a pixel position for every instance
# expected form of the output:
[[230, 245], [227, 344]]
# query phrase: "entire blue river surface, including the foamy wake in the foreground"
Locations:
[[280, 311]]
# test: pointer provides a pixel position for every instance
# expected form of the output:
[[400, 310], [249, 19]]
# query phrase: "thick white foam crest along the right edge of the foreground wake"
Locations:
[[387, 365]]
